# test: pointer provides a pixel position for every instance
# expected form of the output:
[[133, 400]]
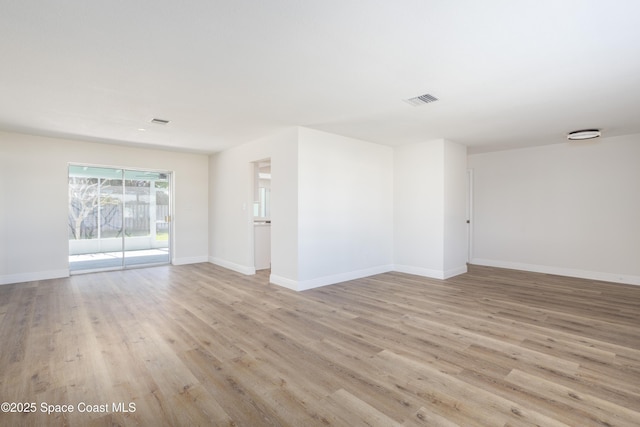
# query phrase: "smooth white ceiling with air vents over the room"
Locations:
[[507, 73]]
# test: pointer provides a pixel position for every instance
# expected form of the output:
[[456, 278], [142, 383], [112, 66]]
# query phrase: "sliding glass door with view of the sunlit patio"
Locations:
[[118, 218]]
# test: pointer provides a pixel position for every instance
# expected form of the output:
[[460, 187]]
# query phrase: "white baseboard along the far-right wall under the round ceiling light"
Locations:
[[560, 271]]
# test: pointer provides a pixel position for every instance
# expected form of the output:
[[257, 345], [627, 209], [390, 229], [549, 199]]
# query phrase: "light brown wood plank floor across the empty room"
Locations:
[[201, 345]]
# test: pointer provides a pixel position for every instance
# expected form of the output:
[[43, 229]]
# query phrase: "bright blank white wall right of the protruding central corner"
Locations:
[[345, 208]]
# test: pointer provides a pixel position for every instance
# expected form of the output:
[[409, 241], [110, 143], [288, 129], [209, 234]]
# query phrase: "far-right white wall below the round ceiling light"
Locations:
[[569, 209]]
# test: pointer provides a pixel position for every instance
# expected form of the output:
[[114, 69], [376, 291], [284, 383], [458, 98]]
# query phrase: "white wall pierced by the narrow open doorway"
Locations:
[[231, 212]]
